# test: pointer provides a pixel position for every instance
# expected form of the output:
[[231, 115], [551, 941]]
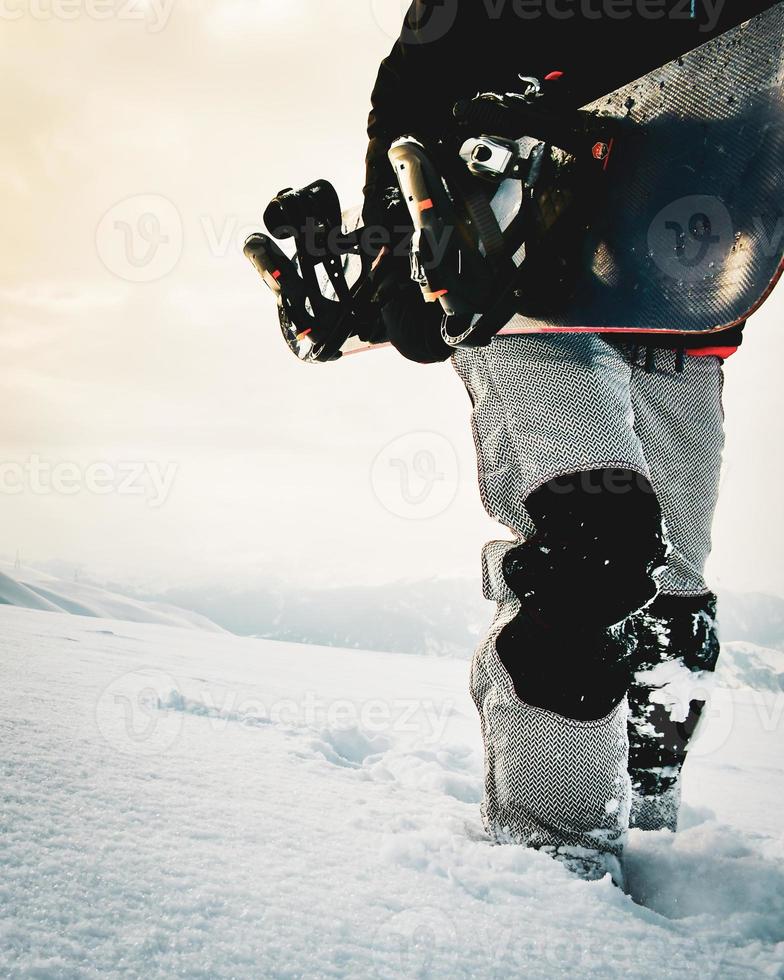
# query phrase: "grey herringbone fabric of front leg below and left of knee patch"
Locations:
[[551, 782]]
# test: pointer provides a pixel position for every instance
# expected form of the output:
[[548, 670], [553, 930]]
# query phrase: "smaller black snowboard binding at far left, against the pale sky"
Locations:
[[324, 291]]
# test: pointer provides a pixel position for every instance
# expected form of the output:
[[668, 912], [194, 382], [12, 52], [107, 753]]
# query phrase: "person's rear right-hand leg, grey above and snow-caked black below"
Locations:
[[679, 418]]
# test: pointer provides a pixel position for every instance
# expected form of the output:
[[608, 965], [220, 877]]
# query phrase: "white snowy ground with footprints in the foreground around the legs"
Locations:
[[184, 803]]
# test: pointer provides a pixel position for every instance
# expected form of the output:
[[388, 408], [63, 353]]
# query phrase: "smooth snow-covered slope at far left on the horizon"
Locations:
[[34, 589]]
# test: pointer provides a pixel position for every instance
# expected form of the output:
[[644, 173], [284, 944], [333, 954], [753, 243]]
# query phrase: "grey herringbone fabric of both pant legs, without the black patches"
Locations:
[[551, 405]]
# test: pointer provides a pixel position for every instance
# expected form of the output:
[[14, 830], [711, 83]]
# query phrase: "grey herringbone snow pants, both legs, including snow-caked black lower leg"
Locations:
[[552, 406]]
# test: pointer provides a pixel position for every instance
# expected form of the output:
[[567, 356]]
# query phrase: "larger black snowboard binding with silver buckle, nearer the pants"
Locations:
[[497, 225]]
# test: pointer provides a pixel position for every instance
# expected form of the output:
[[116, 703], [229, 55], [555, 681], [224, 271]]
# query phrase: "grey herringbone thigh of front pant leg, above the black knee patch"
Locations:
[[545, 406]]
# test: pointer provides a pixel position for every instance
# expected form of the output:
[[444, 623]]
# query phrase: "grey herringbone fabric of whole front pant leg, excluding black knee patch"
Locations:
[[543, 407]]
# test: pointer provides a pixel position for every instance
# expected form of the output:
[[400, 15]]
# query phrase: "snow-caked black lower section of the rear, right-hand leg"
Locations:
[[676, 654]]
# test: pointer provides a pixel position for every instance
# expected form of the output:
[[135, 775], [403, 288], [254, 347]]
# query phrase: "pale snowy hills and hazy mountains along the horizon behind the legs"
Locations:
[[440, 617]]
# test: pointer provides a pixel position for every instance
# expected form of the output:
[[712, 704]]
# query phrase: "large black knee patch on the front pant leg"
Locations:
[[590, 565]]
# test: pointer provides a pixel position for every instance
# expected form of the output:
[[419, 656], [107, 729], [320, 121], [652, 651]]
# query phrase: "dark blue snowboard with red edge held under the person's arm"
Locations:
[[688, 234]]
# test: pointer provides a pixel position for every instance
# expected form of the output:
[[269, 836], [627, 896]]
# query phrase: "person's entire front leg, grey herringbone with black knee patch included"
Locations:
[[553, 426]]
